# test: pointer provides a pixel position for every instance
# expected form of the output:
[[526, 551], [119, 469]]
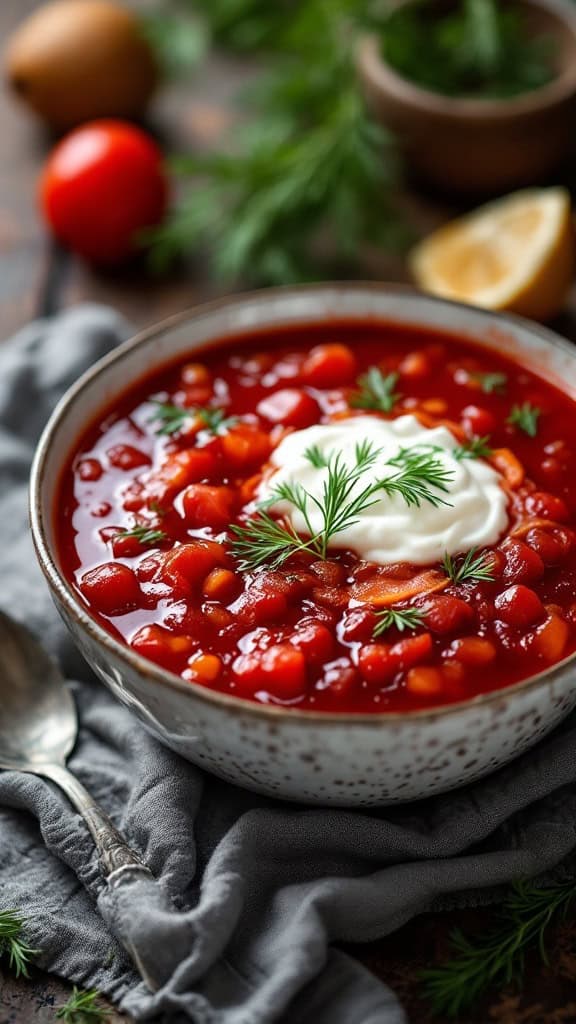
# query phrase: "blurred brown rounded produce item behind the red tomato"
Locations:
[[74, 61]]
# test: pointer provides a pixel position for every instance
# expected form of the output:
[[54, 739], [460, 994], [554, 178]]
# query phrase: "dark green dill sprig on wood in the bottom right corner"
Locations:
[[497, 958]]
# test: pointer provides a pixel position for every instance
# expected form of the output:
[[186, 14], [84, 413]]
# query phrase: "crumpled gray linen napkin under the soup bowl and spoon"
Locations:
[[261, 890]]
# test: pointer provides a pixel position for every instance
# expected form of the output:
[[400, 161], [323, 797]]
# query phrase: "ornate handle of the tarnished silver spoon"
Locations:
[[116, 859]]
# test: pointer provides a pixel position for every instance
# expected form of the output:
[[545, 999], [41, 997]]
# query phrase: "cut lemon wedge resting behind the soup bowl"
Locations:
[[516, 253]]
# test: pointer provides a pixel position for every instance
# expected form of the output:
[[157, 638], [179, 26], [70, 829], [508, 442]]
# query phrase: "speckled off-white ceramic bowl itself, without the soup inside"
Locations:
[[305, 756]]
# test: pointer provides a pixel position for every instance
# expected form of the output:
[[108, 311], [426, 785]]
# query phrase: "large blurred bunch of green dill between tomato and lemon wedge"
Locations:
[[307, 184]]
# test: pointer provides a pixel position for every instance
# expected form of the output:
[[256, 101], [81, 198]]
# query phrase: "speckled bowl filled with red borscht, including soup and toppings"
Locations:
[[321, 540]]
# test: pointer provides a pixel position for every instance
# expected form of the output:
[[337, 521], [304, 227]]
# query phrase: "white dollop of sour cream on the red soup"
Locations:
[[475, 515]]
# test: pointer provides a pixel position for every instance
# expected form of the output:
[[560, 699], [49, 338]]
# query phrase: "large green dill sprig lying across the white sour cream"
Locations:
[[265, 540]]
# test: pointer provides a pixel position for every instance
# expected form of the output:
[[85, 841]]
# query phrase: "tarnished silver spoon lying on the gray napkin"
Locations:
[[38, 731]]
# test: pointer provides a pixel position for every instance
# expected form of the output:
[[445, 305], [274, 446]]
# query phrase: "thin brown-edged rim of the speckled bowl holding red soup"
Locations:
[[78, 612]]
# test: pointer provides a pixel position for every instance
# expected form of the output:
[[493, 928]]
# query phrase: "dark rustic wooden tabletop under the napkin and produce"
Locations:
[[36, 279]]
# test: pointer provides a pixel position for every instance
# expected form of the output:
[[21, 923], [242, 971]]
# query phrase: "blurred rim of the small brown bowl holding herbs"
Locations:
[[384, 77]]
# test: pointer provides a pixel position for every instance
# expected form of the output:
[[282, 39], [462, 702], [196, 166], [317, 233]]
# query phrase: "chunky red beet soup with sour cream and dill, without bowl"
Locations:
[[346, 518]]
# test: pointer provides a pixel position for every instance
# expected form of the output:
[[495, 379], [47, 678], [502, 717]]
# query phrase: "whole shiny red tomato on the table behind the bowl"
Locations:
[[102, 186]]
